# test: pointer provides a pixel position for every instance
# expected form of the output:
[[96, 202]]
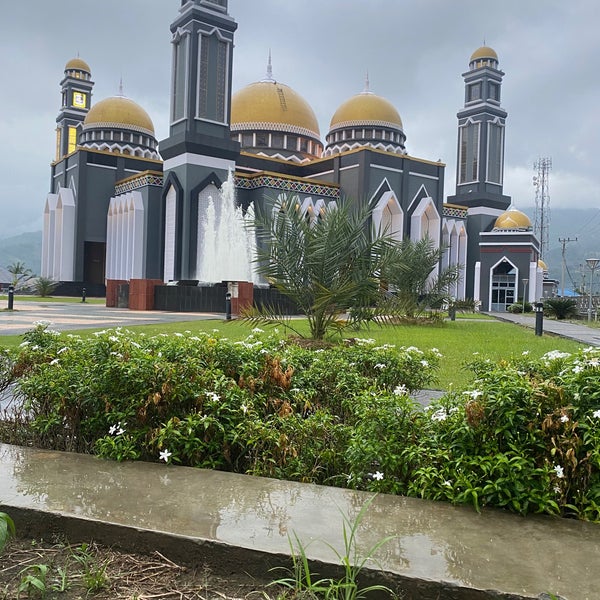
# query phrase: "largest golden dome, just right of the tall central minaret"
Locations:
[[271, 105]]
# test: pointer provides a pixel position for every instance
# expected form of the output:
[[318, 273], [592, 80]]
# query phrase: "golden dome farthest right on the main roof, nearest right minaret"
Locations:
[[366, 108]]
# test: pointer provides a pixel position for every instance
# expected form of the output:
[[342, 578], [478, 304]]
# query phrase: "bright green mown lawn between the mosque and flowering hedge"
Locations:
[[457, 340]]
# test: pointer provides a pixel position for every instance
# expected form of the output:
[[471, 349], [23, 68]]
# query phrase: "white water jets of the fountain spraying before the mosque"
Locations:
[[227, 243]]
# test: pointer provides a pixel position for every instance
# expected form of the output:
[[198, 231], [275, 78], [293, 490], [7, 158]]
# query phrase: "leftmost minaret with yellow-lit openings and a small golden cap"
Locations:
[[76, 89]]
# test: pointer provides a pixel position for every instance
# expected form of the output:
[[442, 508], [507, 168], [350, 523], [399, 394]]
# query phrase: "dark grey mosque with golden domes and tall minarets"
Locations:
[[125, 209]]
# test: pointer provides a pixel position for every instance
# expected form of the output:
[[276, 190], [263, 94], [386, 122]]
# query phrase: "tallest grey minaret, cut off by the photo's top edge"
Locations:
[[199, 151]]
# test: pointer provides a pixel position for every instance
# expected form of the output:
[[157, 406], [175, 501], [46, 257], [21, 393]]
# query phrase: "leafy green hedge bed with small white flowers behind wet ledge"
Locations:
[[525, 436]]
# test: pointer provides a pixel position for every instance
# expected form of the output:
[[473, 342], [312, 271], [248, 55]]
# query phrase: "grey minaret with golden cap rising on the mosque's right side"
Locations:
[[481, 123]]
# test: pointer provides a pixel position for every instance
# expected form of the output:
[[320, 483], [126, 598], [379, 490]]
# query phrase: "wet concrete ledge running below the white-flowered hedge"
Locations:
[[437, 550]]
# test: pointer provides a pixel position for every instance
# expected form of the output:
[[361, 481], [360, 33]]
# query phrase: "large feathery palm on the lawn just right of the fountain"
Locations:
[[325, 265]]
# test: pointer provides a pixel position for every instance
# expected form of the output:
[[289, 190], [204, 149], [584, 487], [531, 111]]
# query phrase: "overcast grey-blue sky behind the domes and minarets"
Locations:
[[414, 52]]
